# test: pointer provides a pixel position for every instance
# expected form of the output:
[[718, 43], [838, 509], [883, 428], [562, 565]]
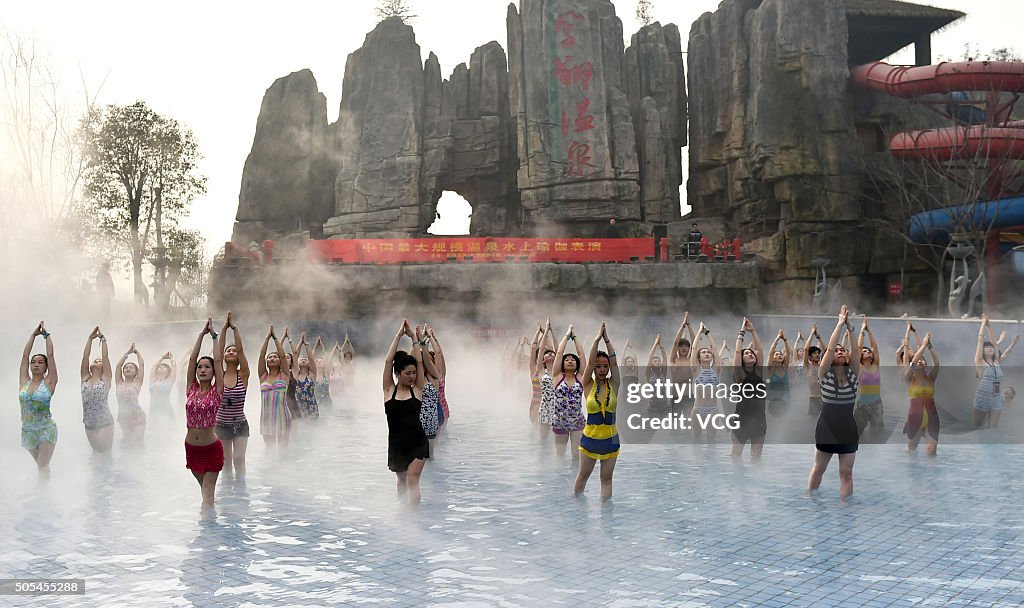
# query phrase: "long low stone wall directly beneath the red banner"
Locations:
[[316, 291]]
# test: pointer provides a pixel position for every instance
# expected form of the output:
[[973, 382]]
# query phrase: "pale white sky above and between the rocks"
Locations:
[[208, 64]]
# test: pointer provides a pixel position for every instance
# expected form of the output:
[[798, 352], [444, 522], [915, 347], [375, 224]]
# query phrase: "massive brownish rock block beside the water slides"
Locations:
[[773, 142]]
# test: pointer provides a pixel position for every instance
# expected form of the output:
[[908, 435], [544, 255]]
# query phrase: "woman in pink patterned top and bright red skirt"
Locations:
[[204, 452]]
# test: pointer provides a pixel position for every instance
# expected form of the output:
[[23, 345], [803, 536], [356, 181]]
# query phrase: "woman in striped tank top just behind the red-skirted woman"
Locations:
[[233, 427]]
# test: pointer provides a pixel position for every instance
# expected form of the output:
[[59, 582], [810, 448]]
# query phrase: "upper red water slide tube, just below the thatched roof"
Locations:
[[907, 82]]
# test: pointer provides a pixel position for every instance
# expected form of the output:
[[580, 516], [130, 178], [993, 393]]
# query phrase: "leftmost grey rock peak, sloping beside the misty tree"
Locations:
[[287, 180]]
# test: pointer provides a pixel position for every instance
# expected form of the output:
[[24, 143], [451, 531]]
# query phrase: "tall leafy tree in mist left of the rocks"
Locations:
[[142, 171]]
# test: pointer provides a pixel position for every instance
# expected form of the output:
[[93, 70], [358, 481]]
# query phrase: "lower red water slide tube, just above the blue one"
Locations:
[[959, 143]]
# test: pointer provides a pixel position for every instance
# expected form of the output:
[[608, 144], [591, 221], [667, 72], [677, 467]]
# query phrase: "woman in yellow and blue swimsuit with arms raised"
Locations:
[[601, 438]]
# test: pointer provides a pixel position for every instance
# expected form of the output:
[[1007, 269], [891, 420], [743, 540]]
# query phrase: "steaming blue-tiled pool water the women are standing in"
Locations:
[[320, 524]]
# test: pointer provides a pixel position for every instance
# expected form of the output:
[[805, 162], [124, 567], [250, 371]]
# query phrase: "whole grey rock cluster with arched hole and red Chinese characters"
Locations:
[[544, 142]]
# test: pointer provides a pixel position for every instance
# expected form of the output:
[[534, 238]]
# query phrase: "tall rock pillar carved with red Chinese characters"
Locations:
[[577, 147]]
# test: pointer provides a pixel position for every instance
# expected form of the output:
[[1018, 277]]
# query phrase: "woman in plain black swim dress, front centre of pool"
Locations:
[[407, 445]]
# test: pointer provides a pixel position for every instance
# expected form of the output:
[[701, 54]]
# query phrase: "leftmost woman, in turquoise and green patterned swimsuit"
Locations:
[[38, 378]]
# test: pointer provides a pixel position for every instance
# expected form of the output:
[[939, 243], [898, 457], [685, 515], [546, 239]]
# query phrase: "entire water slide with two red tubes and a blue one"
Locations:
[[999, 138]]
